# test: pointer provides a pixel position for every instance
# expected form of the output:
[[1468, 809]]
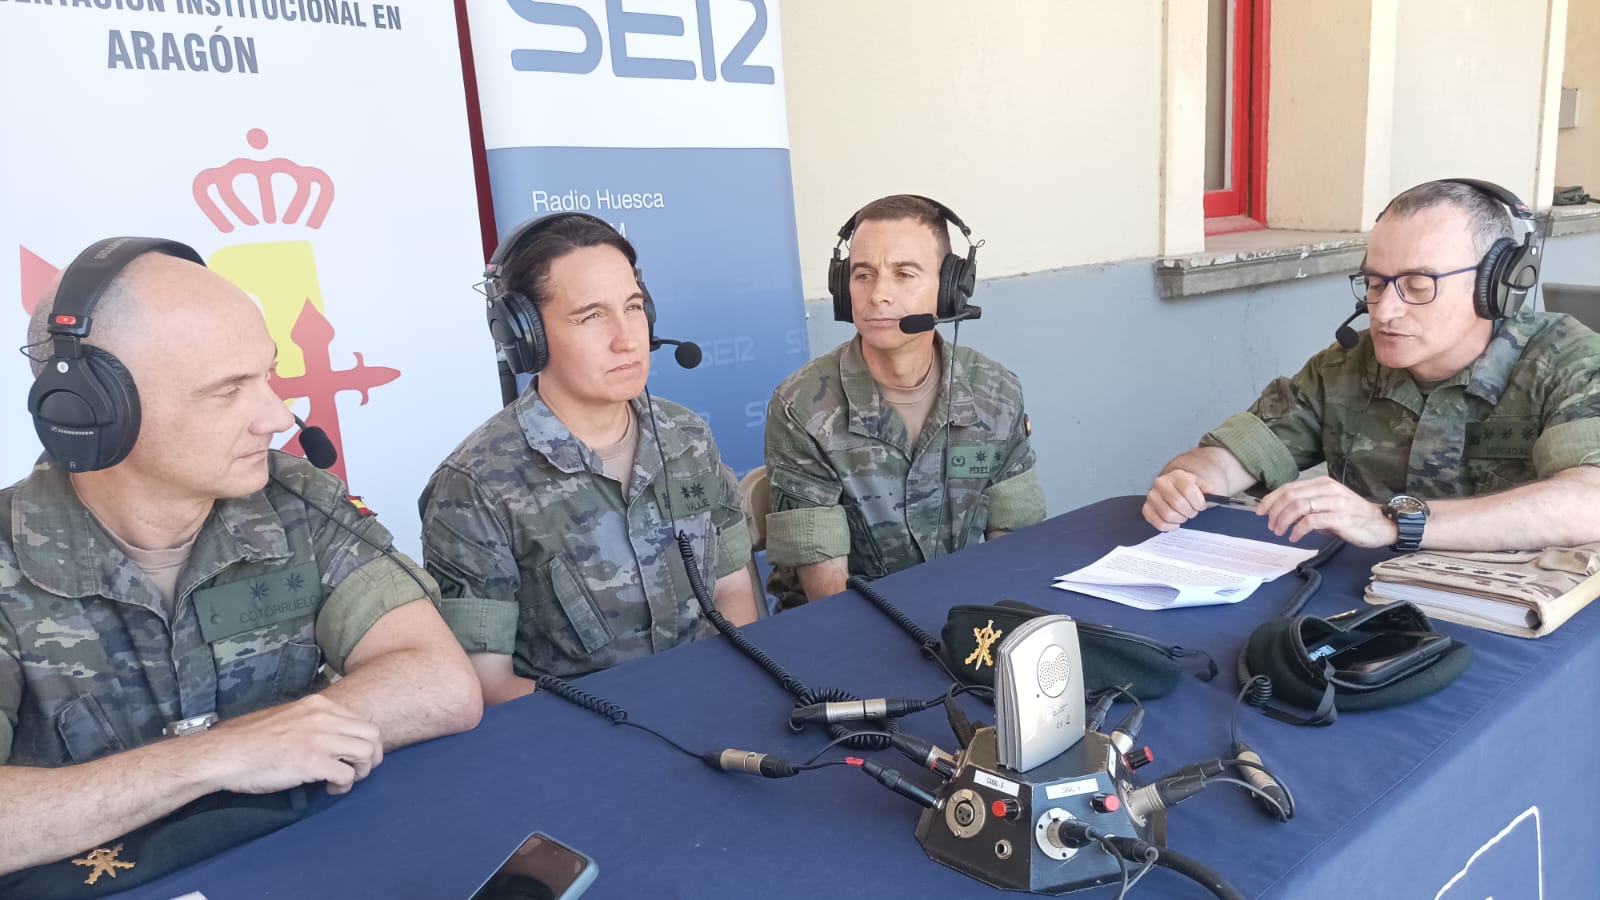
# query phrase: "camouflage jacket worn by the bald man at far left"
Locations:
[[92, 662]]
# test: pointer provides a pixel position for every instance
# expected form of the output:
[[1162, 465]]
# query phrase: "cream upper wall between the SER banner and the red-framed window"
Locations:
[[1041, 127]]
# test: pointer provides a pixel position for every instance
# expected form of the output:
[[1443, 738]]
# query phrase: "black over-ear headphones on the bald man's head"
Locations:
[[86, 406]]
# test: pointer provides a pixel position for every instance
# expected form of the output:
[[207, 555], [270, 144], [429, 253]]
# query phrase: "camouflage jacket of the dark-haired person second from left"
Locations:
[[540, 555]]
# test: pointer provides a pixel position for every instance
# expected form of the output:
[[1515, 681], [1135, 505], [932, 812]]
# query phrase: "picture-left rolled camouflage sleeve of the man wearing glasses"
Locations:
[[1281, 435]]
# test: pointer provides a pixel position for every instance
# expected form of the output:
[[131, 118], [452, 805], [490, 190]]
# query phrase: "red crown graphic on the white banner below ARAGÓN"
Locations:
[[225, 179]]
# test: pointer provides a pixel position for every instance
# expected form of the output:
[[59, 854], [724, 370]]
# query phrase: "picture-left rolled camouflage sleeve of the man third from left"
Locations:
[[807, 523]]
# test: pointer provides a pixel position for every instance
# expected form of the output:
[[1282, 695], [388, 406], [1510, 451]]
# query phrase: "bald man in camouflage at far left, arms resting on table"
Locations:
[[180, 587]]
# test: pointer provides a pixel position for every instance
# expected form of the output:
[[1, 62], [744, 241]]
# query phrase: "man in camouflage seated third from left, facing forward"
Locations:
[[866, 480]]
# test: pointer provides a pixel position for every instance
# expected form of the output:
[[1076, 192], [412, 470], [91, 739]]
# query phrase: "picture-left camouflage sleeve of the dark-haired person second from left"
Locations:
[[468, 550]]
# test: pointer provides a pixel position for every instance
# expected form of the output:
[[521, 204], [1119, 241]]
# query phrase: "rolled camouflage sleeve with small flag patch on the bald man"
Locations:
[[359, 566]]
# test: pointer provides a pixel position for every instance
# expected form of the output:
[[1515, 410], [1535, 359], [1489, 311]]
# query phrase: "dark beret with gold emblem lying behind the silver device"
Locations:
[[1111, 656]]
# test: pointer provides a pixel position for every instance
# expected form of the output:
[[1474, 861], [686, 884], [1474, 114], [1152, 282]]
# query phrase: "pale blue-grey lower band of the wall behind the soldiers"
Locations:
[[1119, 382]]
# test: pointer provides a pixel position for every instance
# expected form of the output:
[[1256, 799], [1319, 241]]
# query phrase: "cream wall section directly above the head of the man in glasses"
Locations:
[[1468, 92]]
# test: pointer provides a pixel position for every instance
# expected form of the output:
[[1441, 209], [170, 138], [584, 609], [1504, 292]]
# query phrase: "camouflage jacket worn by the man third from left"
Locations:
[[850, 483]]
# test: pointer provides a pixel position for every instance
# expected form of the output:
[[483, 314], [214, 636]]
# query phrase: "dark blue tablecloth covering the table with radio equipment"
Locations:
[[1490, 787]]
